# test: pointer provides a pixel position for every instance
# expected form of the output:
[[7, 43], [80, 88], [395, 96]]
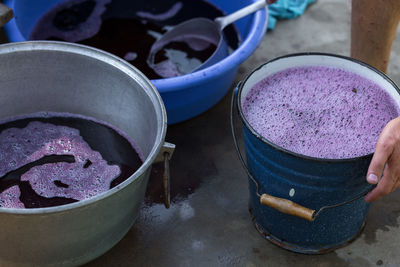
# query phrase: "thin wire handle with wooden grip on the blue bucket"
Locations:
[[281, 204]]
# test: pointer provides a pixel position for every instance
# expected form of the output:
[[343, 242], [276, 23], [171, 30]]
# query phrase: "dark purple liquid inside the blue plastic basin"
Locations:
[[128, 29]]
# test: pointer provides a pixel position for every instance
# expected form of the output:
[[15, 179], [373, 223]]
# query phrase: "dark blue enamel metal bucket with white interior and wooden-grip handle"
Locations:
[[328, 193]]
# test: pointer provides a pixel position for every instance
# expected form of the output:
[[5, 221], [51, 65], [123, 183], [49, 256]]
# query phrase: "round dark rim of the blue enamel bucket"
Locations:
[[284, 150]]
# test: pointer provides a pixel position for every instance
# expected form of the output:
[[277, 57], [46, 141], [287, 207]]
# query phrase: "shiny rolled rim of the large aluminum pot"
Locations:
[[127, 69]]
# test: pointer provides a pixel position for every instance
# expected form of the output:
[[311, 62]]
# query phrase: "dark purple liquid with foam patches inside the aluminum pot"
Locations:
[[51, 159]]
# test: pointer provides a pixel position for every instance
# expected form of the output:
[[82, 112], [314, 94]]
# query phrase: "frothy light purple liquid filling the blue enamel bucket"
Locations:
[[320, 112]]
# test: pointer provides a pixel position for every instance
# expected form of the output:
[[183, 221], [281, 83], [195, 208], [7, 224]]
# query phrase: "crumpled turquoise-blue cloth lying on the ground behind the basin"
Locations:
[[286, 9]]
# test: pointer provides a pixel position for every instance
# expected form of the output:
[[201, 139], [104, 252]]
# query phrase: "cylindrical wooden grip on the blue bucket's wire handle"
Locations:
[[288, 207]]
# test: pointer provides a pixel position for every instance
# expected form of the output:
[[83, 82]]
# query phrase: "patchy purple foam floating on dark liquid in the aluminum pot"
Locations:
[[61, 179]]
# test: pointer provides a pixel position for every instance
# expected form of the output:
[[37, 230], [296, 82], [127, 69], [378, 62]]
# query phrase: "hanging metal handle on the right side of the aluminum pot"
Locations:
[[165, 155]]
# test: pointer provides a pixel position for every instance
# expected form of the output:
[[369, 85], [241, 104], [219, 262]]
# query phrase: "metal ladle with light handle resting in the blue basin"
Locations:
[[209, 31]]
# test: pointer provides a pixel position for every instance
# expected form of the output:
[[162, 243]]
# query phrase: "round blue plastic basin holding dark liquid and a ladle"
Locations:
[[185, 96]]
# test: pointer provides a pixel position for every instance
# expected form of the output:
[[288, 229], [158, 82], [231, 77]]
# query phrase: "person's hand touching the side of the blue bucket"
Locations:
[[384, 169]]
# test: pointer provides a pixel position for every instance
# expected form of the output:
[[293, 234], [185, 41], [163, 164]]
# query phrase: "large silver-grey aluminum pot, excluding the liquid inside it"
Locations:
[[63, 77]]
